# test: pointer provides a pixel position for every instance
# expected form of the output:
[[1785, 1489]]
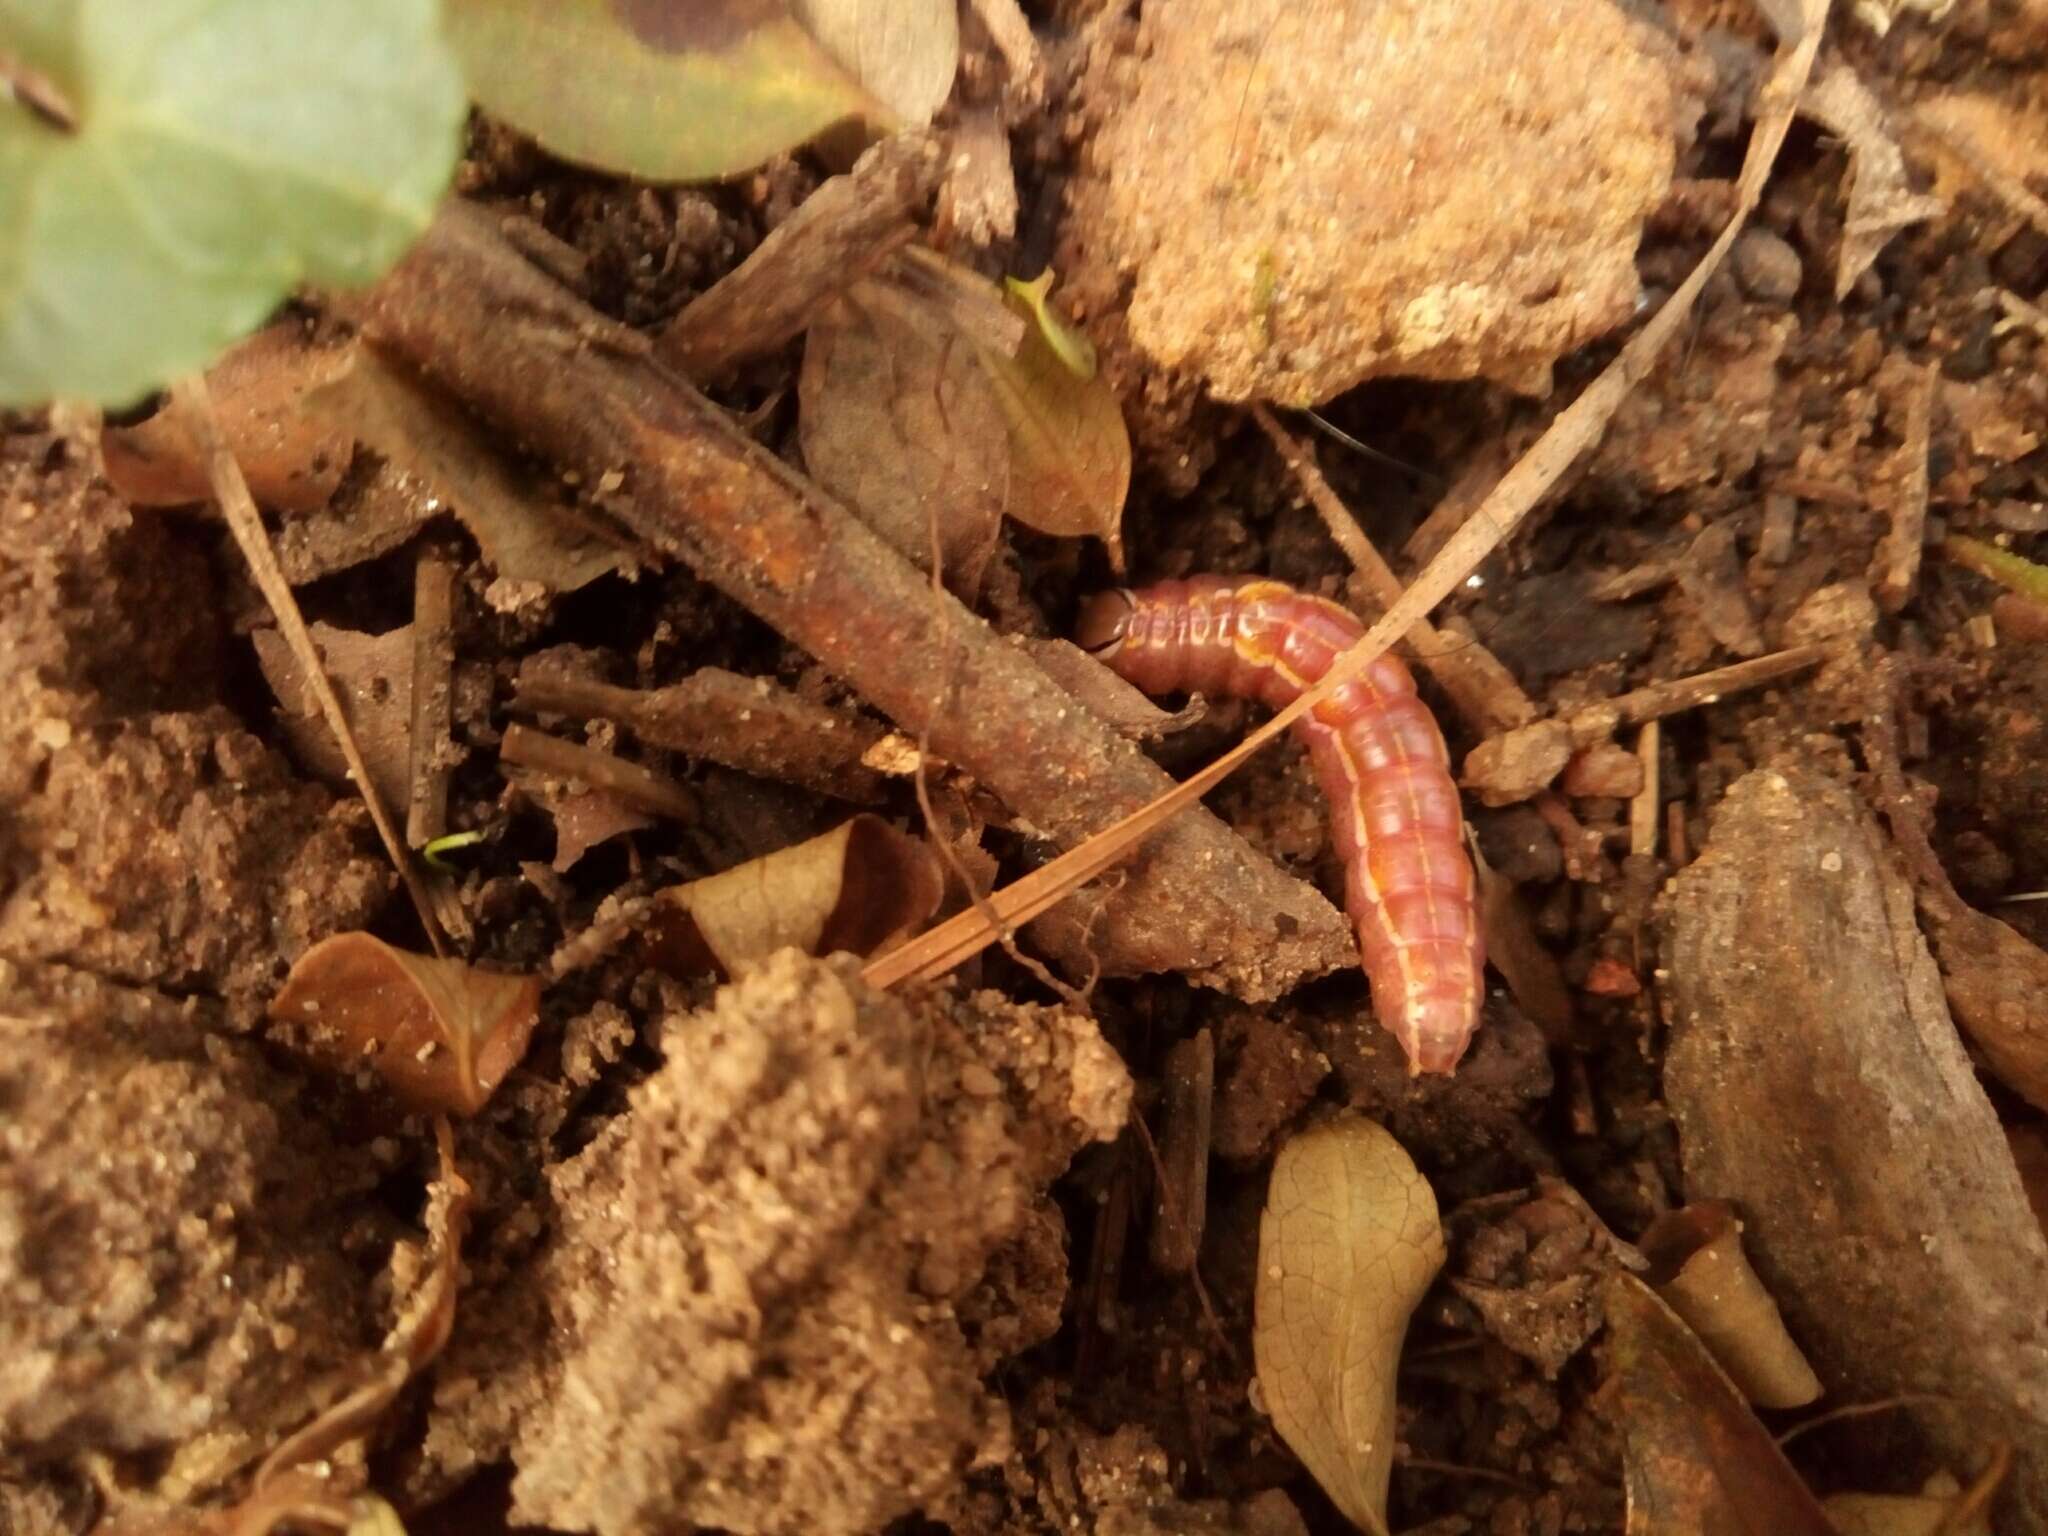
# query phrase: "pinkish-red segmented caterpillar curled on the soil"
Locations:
[[1379, 757]]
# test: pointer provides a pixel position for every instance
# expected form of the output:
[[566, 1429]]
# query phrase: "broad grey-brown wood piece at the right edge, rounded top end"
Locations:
[[1820, 1084]]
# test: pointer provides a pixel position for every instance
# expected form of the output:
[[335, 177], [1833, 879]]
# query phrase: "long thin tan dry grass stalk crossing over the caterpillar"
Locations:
[[1574, 431]]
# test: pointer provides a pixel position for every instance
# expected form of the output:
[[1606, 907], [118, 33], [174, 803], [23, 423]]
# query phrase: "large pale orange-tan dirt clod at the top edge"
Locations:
[[1474, 212]]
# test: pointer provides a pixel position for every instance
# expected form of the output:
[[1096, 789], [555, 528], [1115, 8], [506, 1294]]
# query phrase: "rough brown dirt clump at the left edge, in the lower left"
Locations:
[[175, 1234]]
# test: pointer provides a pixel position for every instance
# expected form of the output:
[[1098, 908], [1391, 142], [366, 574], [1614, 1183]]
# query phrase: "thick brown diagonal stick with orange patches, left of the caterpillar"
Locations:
[[589, 394]]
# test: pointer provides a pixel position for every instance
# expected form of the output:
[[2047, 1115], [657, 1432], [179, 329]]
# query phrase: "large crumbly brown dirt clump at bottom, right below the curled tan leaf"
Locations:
[[779, 1279]]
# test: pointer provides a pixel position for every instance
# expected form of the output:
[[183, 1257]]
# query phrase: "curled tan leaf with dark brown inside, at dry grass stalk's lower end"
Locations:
[[851, 890]]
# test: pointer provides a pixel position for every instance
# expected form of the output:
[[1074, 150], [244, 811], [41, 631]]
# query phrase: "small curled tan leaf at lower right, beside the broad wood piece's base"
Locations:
[[1703, 1275]]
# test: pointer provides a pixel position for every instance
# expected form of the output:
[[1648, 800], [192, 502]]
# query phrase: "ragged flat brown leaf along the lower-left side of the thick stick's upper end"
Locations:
[[525, 534]]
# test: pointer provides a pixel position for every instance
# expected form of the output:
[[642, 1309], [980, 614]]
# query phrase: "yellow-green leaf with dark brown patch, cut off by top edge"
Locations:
[[701, 89]]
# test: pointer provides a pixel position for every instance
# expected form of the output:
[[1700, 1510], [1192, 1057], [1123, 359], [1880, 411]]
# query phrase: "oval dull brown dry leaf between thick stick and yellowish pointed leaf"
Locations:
[[900, 423]]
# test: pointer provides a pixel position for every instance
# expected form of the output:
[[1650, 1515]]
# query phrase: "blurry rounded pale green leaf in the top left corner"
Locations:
[[220, 153]]
